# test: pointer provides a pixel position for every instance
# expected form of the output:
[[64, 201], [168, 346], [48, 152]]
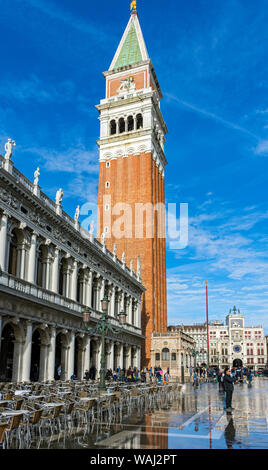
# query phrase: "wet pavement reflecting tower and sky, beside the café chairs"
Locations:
[[196, 420]]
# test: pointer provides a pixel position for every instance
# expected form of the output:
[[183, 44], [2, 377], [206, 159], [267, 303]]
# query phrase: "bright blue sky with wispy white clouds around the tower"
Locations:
[[210, 57]]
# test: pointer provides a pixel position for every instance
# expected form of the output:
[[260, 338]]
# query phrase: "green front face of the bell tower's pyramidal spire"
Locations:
[[130, 52]]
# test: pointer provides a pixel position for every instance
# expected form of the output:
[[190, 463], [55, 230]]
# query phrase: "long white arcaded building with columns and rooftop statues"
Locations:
[[51, 269]]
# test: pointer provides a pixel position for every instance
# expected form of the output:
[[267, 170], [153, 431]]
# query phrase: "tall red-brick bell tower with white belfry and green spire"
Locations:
[[131, 174]]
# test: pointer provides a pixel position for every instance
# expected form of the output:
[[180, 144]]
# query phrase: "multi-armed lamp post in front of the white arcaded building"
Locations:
[[103, 327]]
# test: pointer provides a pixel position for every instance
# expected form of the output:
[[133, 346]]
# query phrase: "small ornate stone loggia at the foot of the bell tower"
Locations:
[[173, 349]]
